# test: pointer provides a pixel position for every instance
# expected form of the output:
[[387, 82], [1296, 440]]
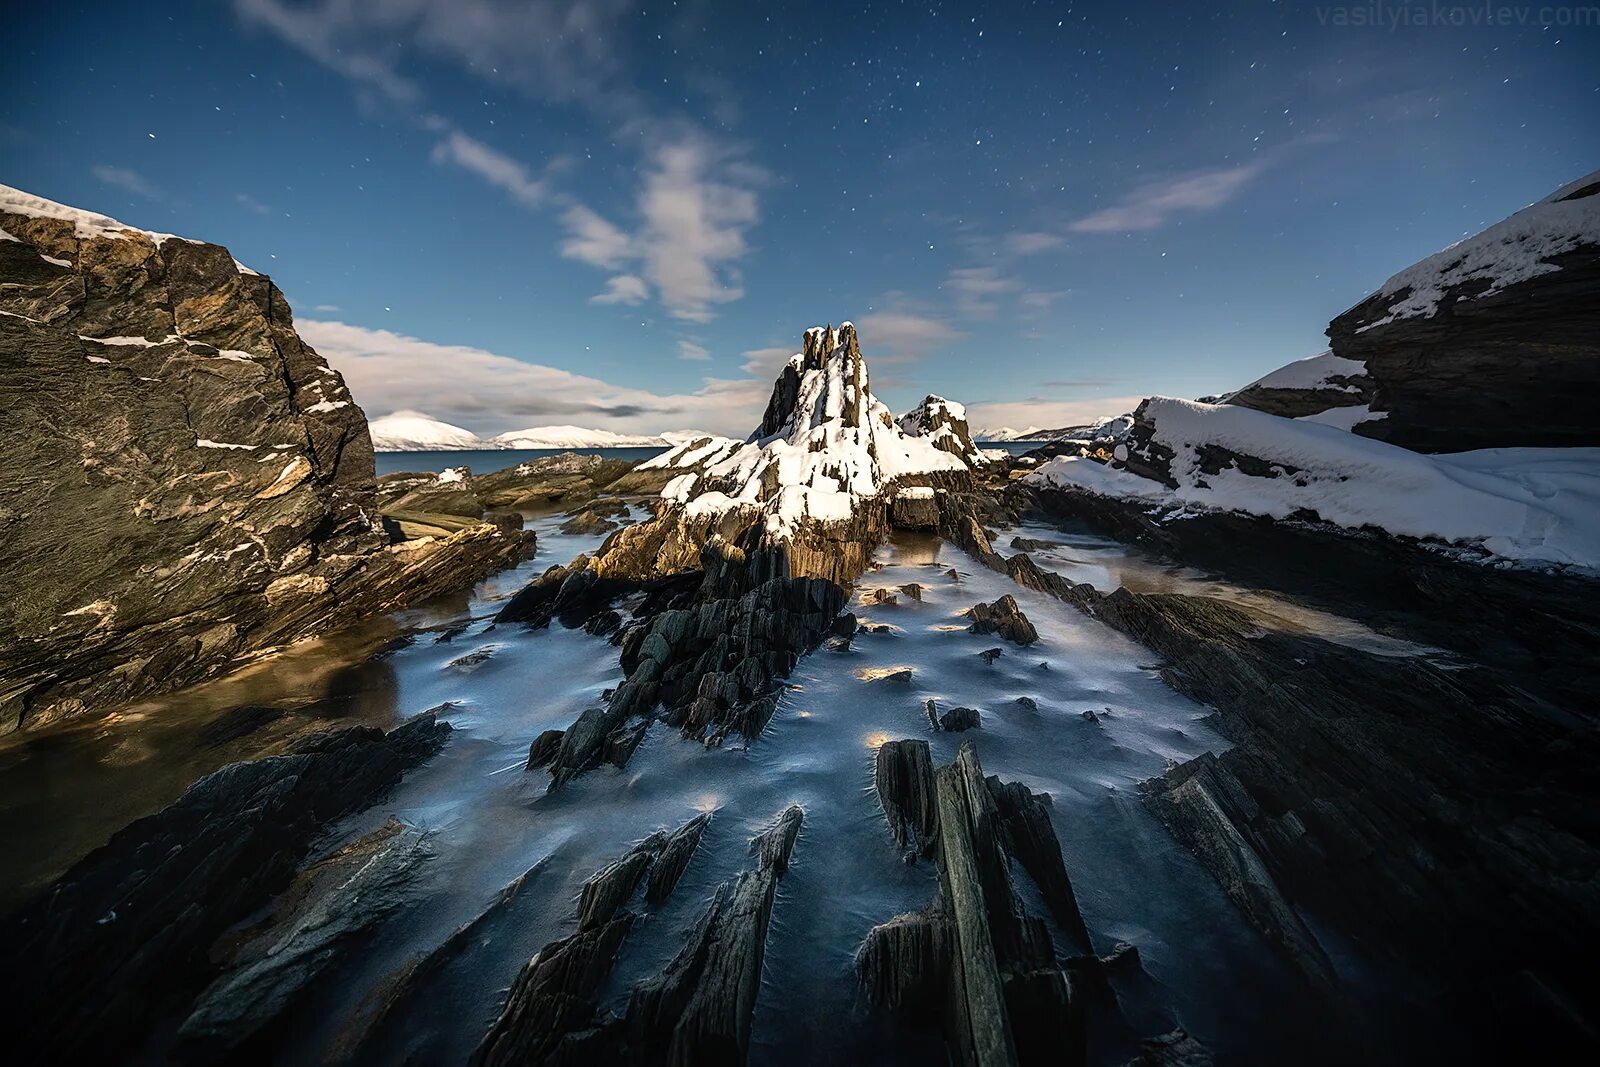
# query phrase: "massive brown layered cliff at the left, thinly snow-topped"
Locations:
[[183, 481]]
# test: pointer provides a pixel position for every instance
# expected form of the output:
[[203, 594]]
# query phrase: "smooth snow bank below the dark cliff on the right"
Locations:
[[1526, 505]]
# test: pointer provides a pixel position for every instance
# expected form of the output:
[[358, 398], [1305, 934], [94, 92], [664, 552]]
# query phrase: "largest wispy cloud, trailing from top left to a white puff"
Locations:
[[697, 198]]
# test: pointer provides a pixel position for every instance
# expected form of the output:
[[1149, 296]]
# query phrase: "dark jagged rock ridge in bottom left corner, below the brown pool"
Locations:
[[130, 929]]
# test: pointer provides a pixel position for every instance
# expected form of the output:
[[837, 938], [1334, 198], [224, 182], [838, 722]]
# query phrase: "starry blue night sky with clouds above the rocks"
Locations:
[[625, 215]]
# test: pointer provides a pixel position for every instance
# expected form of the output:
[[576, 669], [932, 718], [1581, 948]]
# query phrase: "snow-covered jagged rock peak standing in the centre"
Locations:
[[825, 447]]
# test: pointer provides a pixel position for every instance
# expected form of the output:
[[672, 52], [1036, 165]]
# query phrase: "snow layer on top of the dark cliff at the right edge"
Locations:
[[1511, 252]]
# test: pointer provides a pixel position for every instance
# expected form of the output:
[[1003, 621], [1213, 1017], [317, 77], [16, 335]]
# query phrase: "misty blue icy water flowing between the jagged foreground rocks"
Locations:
[[494, 821]]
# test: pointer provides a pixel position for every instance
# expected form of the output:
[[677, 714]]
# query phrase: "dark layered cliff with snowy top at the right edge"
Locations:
[[1489, 343]]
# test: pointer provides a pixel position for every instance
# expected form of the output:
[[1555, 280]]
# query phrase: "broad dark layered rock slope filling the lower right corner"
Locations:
[[1401, 801]]
